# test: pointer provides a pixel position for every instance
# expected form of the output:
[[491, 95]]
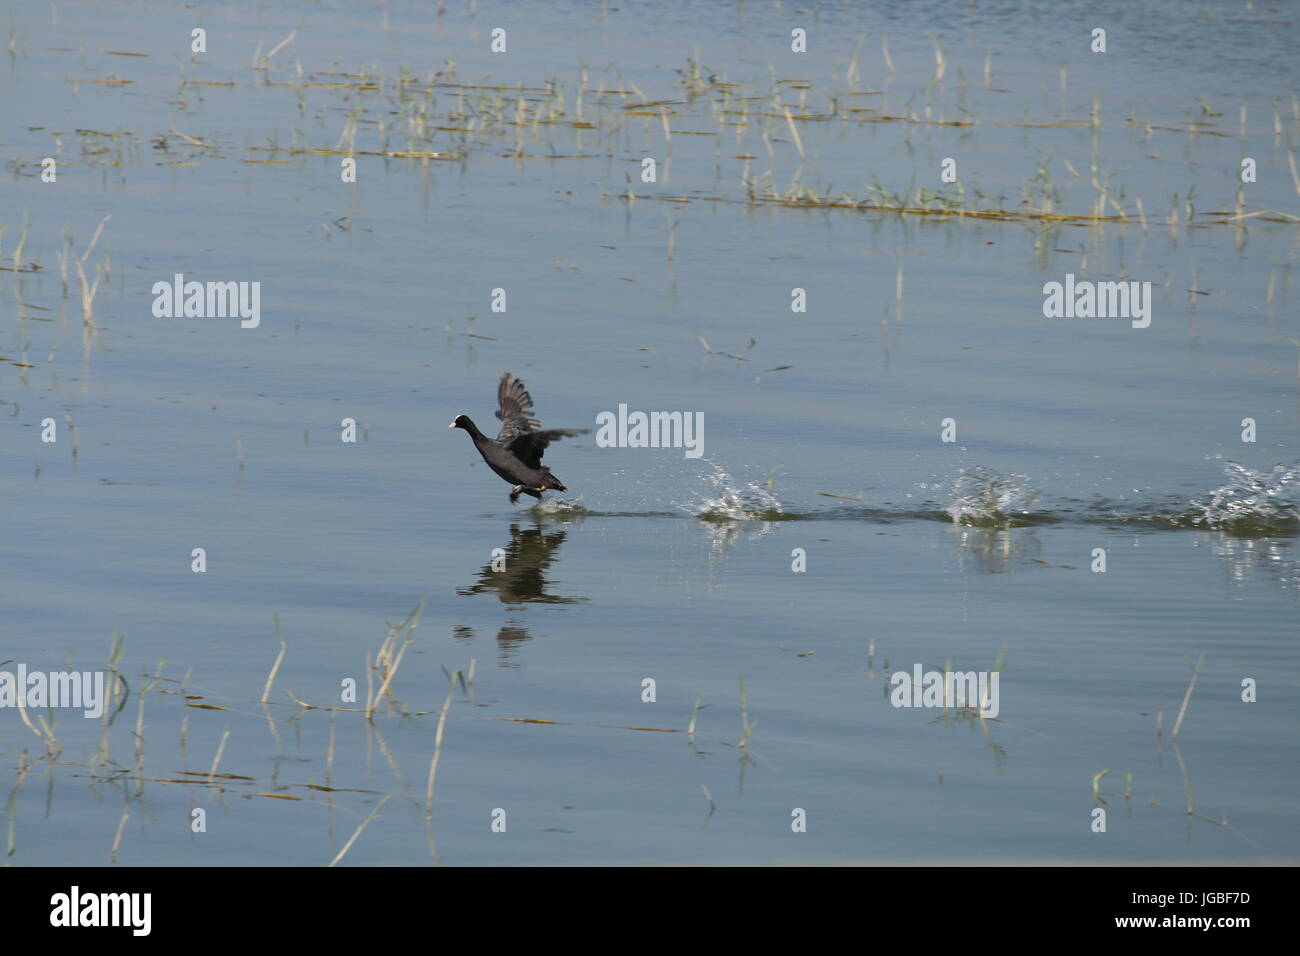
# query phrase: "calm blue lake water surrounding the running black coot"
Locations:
[[656, 565]]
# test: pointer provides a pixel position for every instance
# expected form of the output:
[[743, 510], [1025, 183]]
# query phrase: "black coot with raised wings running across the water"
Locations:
[[517, 453]]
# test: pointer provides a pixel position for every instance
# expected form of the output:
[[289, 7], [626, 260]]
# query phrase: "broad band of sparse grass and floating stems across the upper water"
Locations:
[[752, 128]]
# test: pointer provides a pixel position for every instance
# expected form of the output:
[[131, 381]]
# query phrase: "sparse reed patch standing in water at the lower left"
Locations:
[[132, 775]]
